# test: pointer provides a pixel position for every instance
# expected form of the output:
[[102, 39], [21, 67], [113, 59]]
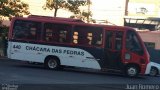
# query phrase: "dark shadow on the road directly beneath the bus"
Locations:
[[75, 70]]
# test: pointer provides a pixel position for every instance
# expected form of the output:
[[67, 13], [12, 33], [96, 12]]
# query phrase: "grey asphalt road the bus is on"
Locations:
[[30, 77]]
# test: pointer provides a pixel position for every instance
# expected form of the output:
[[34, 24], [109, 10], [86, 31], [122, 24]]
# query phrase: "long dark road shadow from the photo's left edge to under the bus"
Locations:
[[22, 64]]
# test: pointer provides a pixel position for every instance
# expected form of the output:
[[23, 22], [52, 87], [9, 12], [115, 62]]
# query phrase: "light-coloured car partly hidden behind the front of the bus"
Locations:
[[153, 69]]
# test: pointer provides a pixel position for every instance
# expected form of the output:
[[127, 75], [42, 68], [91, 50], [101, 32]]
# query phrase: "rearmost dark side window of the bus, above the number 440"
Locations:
[[26, 30]]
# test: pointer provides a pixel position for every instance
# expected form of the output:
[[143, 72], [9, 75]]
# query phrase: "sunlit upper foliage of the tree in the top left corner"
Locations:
[[11, 8]]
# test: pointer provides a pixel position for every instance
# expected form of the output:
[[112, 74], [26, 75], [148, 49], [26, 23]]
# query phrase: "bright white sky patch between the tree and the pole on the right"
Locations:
[[106, 9]]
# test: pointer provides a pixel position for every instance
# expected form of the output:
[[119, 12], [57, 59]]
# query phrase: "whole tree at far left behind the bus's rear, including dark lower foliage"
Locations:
[[11, 8]]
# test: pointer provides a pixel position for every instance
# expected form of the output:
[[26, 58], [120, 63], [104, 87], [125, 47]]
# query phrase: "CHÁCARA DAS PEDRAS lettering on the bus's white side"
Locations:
[[60, 51]]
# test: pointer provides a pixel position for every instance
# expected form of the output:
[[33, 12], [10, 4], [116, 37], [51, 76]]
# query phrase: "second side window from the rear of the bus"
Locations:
[[57, 32]]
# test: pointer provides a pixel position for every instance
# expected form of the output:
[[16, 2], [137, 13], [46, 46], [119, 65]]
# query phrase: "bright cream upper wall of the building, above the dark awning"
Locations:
[[147, 8]]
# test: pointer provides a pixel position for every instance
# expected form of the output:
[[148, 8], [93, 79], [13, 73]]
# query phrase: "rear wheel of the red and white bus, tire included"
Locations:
[[52, 63]]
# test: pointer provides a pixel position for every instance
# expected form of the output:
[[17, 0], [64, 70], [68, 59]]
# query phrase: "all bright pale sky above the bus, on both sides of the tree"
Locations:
[[109, 10]]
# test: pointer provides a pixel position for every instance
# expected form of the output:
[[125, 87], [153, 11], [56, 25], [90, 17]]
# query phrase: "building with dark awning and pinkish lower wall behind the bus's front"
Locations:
[[143, 15]]
